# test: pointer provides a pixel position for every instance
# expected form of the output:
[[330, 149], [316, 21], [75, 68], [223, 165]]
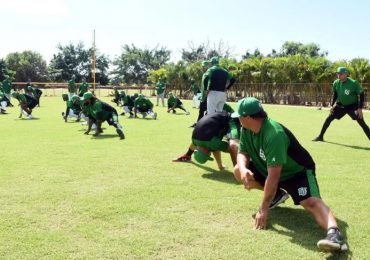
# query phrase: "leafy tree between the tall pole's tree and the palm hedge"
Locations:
[[135, 64]]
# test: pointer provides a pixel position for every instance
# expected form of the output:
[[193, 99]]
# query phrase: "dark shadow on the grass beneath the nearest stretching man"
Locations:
[[302, 229]]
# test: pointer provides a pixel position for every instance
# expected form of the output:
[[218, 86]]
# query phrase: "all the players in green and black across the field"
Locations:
[[264, 153]]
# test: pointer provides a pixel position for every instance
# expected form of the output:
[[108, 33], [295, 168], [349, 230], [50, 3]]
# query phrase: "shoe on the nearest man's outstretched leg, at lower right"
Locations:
[[334, 241]]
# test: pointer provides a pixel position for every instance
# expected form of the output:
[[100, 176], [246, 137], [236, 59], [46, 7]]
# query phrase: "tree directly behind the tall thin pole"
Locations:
[[76, 60]]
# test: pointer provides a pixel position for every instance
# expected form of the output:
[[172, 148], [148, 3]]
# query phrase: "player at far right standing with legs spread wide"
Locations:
[[348, 98]]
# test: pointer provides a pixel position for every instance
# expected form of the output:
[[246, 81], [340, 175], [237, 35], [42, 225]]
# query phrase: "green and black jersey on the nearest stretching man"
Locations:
[[275, 145]]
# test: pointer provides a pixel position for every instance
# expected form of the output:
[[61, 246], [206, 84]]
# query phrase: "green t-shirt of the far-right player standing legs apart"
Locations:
[[347, 91]]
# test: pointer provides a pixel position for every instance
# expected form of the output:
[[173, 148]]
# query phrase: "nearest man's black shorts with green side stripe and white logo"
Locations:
[[300, 187]]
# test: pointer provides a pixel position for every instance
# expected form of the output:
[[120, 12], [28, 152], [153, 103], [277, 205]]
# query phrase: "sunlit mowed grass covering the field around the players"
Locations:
[[67, 195]]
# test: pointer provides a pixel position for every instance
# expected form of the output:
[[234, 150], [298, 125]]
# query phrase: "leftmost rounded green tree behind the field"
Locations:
[[27, 65]]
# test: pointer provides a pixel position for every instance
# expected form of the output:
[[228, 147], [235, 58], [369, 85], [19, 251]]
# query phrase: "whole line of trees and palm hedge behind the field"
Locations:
[[293, 63]]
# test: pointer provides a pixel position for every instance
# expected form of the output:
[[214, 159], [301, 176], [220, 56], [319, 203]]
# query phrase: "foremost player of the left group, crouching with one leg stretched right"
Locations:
[[98, 112]]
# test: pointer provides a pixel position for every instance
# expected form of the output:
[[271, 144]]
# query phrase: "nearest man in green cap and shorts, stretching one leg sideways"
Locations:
[[270, 158]]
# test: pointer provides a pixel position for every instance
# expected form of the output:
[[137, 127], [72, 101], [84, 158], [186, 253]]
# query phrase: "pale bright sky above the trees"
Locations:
[[340, 27]]
